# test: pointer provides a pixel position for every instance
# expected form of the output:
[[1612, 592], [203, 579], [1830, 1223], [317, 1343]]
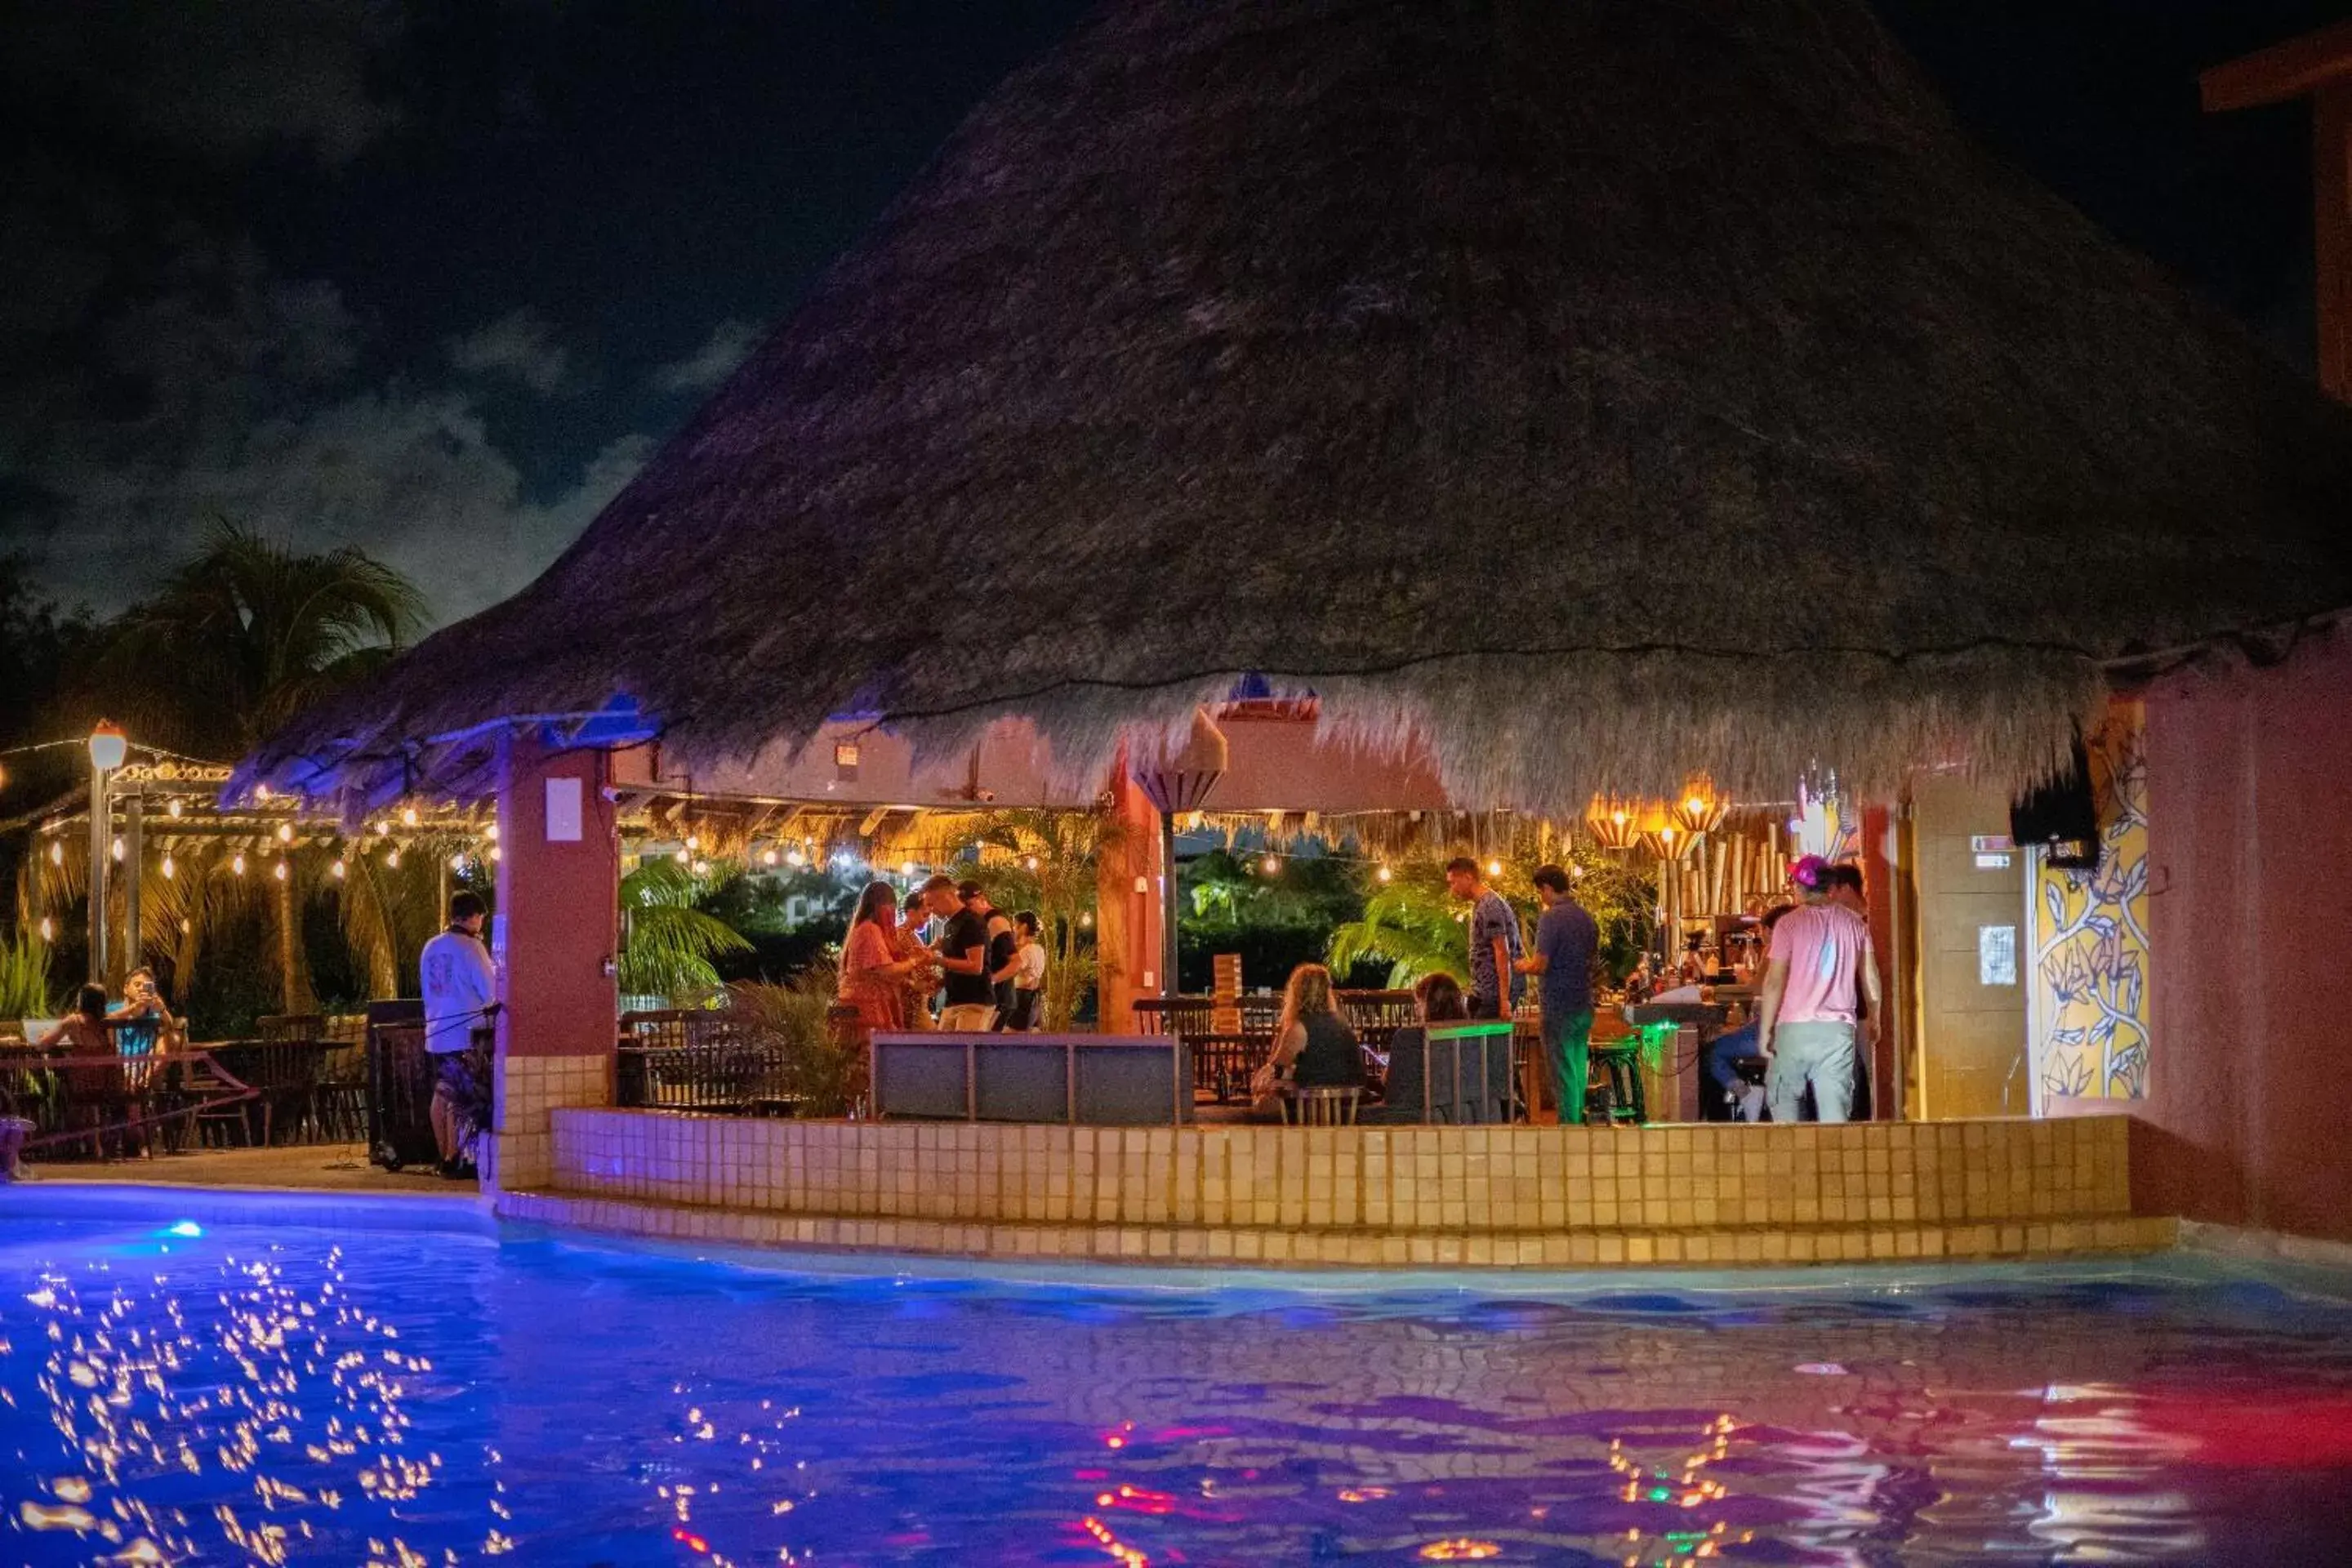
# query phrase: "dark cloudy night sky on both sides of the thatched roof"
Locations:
[[436, 279]]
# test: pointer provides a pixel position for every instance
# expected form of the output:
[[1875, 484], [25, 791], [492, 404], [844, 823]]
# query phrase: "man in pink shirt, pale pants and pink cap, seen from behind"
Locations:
[[1822, 967]]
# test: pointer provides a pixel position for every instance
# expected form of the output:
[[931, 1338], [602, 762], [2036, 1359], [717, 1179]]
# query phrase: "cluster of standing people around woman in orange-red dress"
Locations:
[[984, 967]]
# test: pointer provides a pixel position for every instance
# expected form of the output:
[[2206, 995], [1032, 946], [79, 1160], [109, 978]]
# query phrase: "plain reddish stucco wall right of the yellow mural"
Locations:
[[2250, 847]]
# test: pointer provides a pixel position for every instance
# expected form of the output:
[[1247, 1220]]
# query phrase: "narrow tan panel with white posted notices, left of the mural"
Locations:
[[1972, 1005]]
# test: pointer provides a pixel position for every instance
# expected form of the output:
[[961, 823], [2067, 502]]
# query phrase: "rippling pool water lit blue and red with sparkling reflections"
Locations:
[[389, 1398]]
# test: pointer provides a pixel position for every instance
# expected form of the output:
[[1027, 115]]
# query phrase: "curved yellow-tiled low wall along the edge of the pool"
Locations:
[[1354, 1198]]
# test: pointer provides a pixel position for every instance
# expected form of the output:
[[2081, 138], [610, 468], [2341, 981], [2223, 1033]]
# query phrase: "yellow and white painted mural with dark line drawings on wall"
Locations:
[[2090, 1003]]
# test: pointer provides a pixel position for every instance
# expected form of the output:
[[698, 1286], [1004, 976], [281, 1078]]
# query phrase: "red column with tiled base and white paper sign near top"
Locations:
[[556, 939]]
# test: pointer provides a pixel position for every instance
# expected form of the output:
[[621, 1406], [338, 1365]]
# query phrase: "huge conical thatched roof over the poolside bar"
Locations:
[[1593, 387]]
